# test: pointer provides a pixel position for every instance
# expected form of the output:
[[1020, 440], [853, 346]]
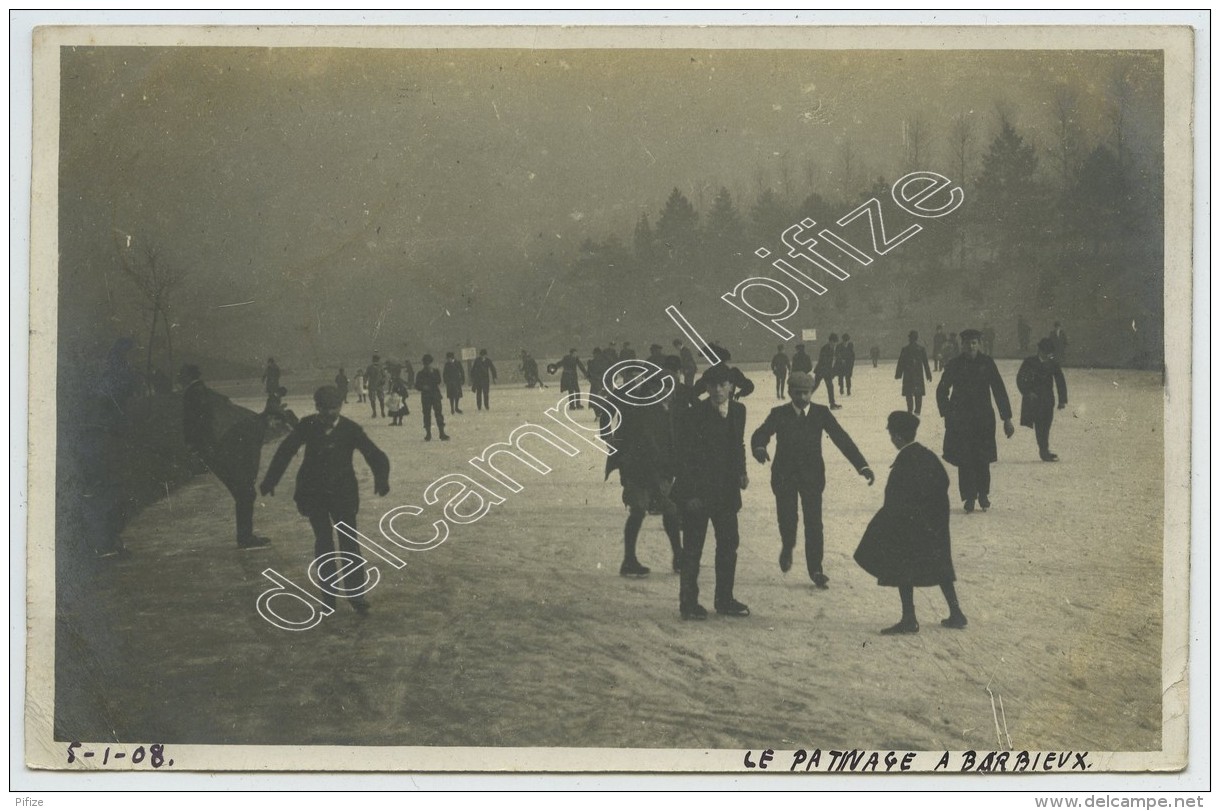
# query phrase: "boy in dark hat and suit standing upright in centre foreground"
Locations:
[[712, 475]]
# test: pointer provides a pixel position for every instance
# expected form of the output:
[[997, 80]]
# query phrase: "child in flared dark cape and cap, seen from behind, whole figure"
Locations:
[[907, 543]]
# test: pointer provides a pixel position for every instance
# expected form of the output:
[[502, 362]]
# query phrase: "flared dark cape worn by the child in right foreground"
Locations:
[[907, 543]]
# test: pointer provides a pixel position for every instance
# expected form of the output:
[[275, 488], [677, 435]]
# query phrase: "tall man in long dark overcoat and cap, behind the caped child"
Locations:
[[964, 398]]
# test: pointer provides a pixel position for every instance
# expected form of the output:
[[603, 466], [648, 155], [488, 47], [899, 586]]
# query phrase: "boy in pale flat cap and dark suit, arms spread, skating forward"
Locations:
[[798, 470]]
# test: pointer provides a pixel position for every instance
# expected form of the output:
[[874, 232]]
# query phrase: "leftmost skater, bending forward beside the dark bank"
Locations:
[[232, 459]]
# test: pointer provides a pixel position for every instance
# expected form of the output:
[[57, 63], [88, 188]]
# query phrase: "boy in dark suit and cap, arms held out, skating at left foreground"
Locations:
[[328, 492]]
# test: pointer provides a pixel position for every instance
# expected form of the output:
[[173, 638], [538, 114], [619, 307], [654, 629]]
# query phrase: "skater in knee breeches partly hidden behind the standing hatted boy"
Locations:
[[647, 463]]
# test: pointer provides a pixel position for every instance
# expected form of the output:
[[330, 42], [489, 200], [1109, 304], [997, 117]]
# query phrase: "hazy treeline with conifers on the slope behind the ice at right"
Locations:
[[1069, 230]]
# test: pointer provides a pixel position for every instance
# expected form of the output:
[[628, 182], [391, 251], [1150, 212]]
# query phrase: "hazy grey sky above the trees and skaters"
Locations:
[[271, 173]]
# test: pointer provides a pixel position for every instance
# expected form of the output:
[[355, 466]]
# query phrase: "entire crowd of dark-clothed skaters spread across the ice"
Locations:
[[683, 458]]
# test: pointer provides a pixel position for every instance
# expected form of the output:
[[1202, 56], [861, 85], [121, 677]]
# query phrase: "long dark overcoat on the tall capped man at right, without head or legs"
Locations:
[[964, 398]]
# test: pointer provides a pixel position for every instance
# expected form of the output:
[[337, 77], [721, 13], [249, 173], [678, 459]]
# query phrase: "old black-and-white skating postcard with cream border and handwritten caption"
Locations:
[[639, 401]]
